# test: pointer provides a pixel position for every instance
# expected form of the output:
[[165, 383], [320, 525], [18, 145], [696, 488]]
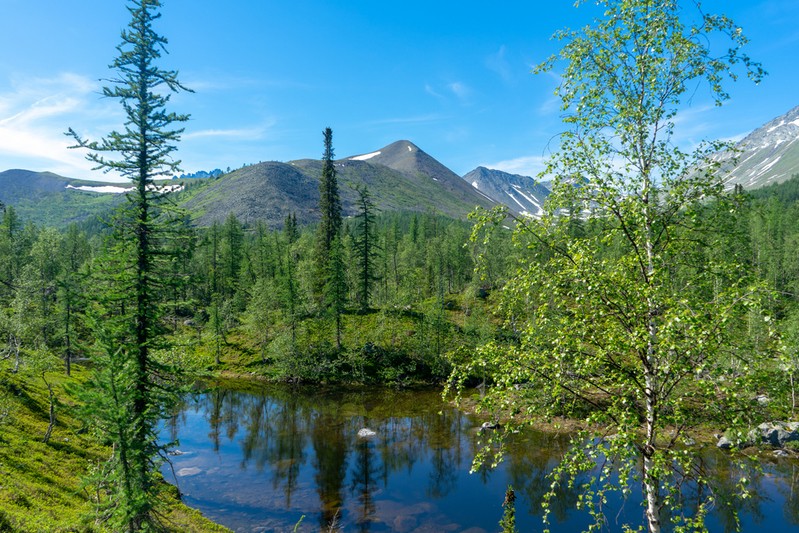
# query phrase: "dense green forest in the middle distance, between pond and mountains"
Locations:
[[244, 301]]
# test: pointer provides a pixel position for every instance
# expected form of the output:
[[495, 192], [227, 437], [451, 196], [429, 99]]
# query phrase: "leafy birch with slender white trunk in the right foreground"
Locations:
[[633, 319]]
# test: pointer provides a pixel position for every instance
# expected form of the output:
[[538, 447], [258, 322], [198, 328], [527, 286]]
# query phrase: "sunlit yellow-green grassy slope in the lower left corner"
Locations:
[[41, 487]]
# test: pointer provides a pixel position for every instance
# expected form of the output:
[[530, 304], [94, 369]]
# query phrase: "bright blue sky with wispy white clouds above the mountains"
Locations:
[[452, 77]]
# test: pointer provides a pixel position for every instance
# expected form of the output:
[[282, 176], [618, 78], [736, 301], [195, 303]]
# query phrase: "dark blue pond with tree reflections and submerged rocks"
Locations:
[[379, 460]]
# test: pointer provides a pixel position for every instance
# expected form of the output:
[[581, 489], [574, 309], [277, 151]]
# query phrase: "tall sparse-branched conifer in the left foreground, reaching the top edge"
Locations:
[[130, 391]]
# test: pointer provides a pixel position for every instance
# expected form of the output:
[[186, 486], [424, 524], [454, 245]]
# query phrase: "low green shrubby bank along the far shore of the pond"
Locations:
[[397, 346]]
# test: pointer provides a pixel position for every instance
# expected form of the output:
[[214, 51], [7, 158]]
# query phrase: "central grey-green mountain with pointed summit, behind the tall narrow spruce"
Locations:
[[399, 176]]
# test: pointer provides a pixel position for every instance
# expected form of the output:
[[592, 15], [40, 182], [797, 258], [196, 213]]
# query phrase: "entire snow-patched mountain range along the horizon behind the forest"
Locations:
[[399, 176]]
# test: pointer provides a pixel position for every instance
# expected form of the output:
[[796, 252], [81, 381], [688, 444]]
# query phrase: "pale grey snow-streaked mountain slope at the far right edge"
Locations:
[[770, 154]]
